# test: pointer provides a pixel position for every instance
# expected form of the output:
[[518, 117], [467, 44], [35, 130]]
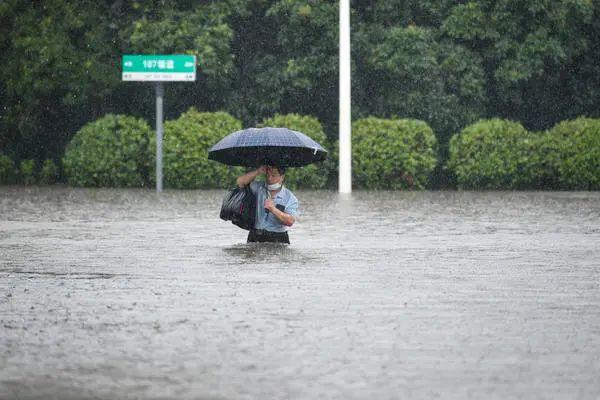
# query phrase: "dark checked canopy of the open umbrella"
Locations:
[[267, 146]]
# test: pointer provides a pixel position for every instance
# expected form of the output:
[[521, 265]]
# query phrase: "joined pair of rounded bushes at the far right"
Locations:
[[501, 154]]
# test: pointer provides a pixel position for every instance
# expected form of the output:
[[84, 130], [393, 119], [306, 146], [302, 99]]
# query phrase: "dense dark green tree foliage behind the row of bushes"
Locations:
[[444, 62]]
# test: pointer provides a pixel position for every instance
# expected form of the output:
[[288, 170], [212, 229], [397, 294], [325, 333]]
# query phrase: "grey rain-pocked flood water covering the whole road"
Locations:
[[110, 294]]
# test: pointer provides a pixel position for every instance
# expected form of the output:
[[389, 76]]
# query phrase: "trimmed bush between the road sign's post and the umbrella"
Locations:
[[185, 151]]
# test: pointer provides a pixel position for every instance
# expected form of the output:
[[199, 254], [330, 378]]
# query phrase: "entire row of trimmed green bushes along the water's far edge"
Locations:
[[119, 150]]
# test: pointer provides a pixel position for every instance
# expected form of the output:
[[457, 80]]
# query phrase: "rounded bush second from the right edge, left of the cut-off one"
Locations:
[[496, 154]]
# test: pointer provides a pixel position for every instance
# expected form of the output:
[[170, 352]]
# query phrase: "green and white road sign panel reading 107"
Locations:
[[159, 68]]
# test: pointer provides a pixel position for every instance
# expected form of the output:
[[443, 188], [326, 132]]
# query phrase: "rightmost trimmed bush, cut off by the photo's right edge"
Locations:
[[577, 153]]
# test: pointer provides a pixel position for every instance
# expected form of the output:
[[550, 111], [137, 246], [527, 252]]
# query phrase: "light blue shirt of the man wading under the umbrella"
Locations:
[[266, 220]]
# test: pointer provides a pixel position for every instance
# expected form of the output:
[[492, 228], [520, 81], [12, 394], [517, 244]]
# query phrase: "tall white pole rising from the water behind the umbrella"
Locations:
[[345, 164]]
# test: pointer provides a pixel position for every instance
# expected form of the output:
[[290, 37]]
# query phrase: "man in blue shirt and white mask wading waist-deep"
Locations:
[[276, 206]]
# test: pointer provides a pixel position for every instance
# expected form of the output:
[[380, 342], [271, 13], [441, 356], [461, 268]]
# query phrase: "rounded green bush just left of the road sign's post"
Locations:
[[111, 151]]
